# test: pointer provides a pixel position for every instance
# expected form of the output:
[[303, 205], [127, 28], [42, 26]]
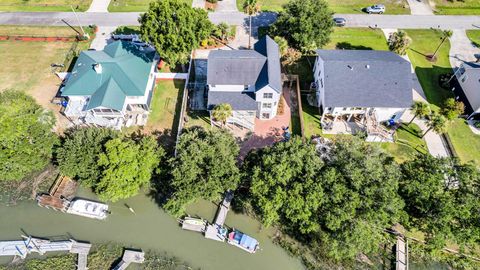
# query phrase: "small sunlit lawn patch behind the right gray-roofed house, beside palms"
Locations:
[[408, 143]]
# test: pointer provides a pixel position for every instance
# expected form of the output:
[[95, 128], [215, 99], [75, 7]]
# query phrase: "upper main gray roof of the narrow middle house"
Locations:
[[259, 67]]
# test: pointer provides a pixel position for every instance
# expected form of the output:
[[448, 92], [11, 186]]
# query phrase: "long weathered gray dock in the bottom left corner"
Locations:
[[27, 245]]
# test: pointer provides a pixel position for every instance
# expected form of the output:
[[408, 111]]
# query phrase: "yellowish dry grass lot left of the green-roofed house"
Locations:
[[26, 65]]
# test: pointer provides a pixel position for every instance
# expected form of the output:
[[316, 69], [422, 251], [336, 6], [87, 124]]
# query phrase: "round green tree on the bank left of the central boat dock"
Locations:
[[204, 168]]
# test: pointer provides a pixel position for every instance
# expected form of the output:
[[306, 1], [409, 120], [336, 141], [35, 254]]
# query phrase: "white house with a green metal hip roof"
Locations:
[[112, 87]]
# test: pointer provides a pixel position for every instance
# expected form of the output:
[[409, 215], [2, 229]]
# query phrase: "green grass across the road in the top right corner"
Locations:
[[464, 7]]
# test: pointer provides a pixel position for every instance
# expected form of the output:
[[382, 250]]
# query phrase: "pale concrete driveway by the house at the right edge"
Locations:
[[461, 49]]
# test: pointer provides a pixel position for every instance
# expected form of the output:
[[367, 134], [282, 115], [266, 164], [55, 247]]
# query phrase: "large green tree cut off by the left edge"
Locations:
[[26, 137]]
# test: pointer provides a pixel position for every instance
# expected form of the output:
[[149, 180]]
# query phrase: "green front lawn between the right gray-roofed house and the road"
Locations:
[[357, 39]]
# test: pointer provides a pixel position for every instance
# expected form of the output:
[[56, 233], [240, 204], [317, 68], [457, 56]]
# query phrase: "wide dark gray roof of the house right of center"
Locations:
[[361, 78]]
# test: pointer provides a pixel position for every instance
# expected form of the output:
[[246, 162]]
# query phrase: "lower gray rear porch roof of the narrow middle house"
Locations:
[[241, 101]]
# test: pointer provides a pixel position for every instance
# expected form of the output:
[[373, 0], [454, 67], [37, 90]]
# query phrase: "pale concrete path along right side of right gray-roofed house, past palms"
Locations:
[[433, 140]]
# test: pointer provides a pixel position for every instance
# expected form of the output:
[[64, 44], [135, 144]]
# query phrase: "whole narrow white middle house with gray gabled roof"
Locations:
[[248, 80]]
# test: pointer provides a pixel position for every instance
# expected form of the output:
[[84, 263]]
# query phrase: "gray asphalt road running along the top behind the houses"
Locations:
[[238, 18]]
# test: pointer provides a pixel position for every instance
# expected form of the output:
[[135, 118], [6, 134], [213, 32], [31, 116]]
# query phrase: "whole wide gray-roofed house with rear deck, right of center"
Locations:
[[361, 90]]
